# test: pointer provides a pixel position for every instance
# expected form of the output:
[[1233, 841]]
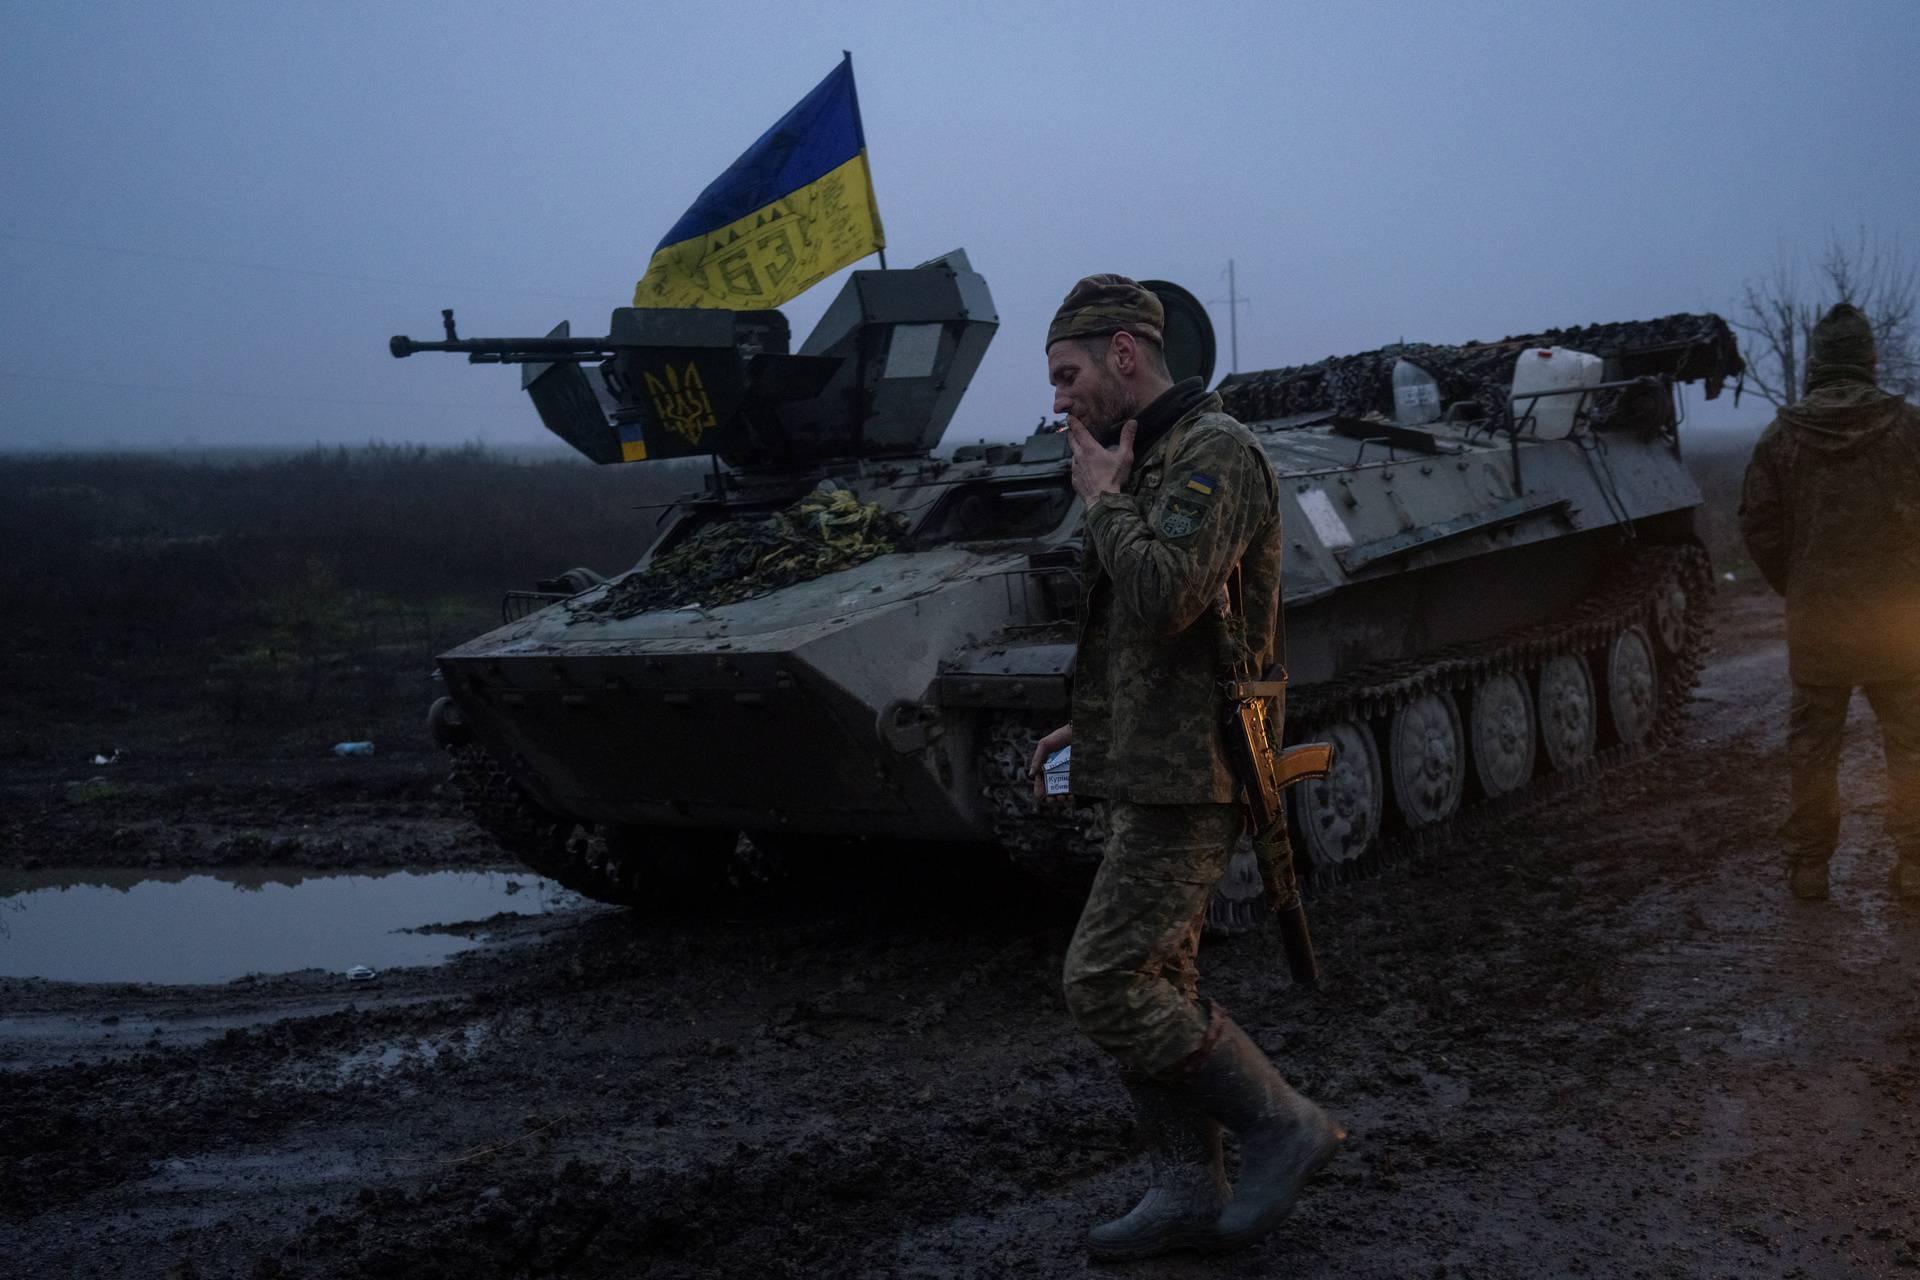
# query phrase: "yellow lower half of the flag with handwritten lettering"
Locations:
[[773, 254]]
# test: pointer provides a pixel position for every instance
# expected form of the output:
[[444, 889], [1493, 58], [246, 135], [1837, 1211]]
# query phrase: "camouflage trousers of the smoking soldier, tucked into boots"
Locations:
[[1130, 976]]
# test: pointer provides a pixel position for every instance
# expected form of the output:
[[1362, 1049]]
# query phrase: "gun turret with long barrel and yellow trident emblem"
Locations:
[[878, 377]]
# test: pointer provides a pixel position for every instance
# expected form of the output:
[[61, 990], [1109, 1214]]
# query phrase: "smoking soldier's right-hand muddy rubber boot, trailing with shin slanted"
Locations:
[[1284, 1137]]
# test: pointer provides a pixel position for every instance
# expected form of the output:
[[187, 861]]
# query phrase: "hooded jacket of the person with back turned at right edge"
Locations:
[[1831, 511]]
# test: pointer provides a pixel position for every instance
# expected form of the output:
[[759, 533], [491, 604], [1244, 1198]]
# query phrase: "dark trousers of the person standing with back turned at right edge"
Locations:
[[1817, 721]]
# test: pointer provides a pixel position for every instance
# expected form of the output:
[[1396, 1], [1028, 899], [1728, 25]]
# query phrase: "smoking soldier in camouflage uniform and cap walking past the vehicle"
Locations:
[[1182, 508]]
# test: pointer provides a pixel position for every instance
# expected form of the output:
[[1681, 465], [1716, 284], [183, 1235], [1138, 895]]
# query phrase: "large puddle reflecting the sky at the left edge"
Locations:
[[135, 928]]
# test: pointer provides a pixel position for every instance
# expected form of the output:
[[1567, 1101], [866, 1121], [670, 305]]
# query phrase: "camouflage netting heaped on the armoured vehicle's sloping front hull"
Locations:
[[744, 557]]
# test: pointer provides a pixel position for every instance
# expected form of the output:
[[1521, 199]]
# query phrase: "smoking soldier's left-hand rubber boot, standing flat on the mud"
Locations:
[[1188, 1187]]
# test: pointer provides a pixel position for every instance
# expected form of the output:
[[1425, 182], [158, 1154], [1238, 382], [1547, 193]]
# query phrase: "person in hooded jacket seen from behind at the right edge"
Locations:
[[1831, 513]]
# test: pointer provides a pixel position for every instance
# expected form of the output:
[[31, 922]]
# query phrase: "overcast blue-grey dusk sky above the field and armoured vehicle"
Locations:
[[216, 214]]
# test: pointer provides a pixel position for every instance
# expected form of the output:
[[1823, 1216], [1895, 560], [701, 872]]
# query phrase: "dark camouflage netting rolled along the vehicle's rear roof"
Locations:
[[1683, 346]]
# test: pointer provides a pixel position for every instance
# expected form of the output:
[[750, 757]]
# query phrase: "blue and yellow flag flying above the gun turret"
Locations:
[[796, 208]]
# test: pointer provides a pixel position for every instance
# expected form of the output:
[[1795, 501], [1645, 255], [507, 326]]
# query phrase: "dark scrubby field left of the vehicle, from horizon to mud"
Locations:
[[270, 590]]
